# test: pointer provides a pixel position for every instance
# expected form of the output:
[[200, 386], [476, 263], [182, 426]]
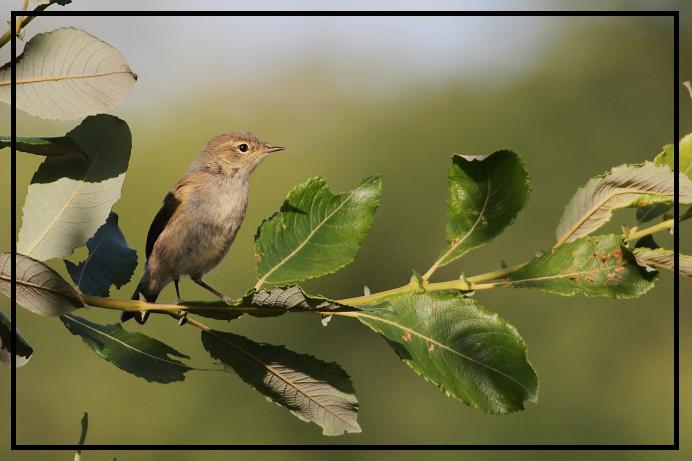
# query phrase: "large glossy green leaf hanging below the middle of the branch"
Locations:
[[453, 342]]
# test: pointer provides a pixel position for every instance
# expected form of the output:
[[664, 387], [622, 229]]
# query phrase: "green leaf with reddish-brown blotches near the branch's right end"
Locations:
[[597, 265]]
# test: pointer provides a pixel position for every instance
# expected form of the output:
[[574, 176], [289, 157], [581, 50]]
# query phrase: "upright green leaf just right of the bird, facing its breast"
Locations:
[[316, 232]]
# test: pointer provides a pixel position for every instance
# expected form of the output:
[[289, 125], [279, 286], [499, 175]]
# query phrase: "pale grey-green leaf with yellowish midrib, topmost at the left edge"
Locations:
[[68, 74]]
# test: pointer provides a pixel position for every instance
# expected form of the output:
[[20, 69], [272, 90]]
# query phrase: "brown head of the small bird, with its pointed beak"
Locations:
[[235, 152]]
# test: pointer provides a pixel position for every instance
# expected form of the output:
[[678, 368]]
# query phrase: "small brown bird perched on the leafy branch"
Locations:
[[200, 216]]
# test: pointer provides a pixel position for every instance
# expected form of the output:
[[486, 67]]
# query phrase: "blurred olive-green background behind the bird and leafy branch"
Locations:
[[574, 98]]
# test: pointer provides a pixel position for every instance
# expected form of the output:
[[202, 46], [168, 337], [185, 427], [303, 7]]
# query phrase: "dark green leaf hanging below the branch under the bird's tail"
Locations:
[[135, 353]]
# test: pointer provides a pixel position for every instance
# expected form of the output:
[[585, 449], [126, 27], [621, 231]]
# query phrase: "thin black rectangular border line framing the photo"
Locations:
[[675, 446]]
